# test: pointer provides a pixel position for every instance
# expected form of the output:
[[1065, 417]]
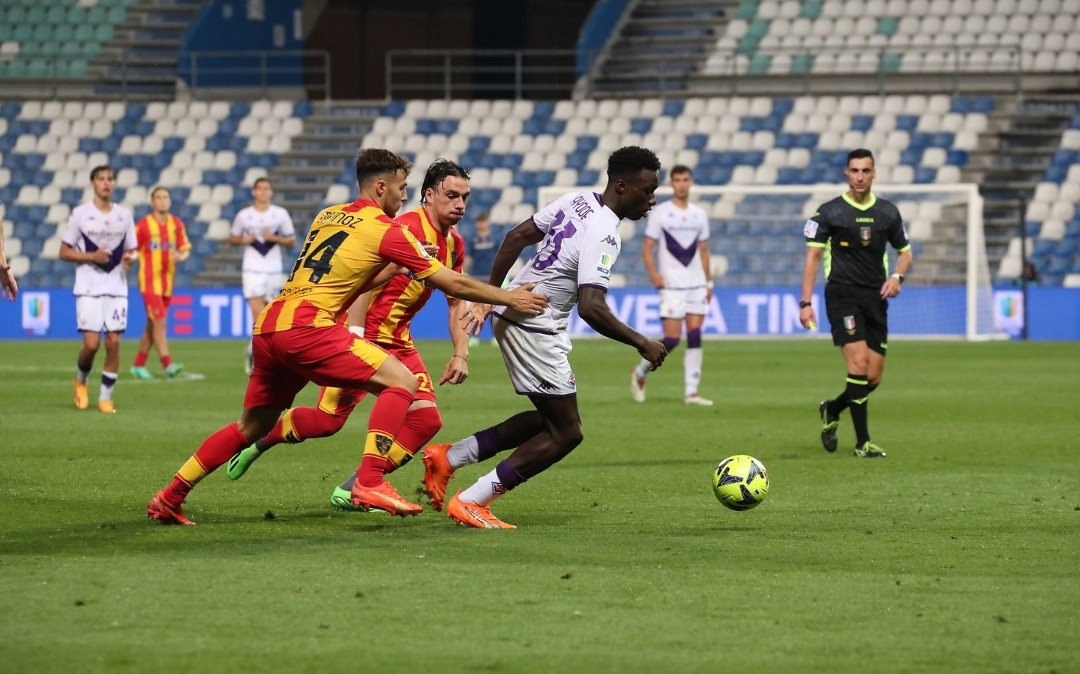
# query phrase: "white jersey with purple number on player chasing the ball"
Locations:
[[580, 246]]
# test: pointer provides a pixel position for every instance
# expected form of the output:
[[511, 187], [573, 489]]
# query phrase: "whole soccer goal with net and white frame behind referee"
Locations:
[[758, 252]]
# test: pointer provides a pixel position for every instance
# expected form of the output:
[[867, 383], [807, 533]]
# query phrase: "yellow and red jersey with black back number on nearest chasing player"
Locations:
[[347, 247]]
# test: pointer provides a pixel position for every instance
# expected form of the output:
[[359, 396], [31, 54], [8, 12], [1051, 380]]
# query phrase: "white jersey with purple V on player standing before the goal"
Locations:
[[679, 232]]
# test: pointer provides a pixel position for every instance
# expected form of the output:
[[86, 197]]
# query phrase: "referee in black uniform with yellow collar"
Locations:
[[852, 233]]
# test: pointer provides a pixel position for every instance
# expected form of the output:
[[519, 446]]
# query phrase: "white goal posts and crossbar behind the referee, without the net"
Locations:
[[979, 320]]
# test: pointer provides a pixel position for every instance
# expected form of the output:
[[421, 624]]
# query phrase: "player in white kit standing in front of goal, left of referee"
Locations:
[[680, 230]]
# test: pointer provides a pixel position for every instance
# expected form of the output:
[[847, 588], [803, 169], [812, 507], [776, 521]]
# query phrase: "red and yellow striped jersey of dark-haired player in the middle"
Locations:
[[390, 314]]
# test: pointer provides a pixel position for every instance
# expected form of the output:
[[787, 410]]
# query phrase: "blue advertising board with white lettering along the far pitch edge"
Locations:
[[1054, 314]]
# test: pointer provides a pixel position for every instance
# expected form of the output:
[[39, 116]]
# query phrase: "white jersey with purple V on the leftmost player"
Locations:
[[89, 231]]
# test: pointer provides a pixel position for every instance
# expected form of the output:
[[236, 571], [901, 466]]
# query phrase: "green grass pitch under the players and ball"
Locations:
[[957, 554]]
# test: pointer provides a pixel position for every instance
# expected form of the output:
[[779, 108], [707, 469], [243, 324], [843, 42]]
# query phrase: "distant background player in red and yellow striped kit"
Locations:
[[163, 244]]
